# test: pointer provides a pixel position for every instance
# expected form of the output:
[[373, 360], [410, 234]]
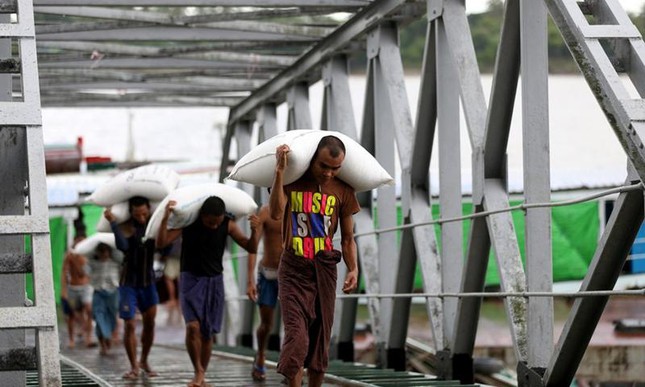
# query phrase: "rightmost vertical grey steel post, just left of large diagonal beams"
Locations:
[[537, 184]]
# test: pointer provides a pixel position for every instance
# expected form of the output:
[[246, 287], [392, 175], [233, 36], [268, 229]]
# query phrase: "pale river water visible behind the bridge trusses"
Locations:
[[584, 149]]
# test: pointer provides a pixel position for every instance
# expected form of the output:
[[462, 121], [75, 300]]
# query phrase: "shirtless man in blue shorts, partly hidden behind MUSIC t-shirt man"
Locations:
[[266, 291]]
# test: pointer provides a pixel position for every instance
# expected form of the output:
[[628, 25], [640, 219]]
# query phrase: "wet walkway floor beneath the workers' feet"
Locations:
[[229, 366]]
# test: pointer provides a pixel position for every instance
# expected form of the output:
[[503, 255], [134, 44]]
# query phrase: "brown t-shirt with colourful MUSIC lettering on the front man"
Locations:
[[312, 215]]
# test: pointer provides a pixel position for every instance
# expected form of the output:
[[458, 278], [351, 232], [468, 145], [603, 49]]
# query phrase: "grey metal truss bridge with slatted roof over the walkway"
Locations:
[[253, 55]]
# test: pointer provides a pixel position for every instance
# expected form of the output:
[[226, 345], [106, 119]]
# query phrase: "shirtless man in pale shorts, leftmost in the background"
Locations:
[[76, 295]]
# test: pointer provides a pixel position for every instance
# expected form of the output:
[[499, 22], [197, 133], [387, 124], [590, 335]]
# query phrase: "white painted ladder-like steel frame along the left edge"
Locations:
[[24, 115]]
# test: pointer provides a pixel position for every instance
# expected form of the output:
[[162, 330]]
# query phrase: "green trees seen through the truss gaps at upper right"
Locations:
[[485, 29]]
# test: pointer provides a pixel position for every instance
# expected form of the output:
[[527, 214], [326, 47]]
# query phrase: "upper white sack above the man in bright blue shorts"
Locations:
[[150, 181]]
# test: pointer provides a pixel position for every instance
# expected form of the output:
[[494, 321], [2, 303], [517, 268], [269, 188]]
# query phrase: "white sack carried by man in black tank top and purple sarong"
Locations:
[[190, 199]]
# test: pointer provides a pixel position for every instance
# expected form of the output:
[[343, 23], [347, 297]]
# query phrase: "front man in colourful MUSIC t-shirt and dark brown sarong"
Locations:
[[311, 209]]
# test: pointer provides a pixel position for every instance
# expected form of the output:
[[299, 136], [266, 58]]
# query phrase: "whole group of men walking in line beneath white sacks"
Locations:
[[298, 267]]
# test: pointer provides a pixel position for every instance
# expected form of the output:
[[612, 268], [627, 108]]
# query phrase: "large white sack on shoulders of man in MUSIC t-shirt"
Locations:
[[360, 169]]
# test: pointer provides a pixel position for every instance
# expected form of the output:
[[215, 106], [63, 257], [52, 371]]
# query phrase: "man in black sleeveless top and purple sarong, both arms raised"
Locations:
[[201, 283]]
